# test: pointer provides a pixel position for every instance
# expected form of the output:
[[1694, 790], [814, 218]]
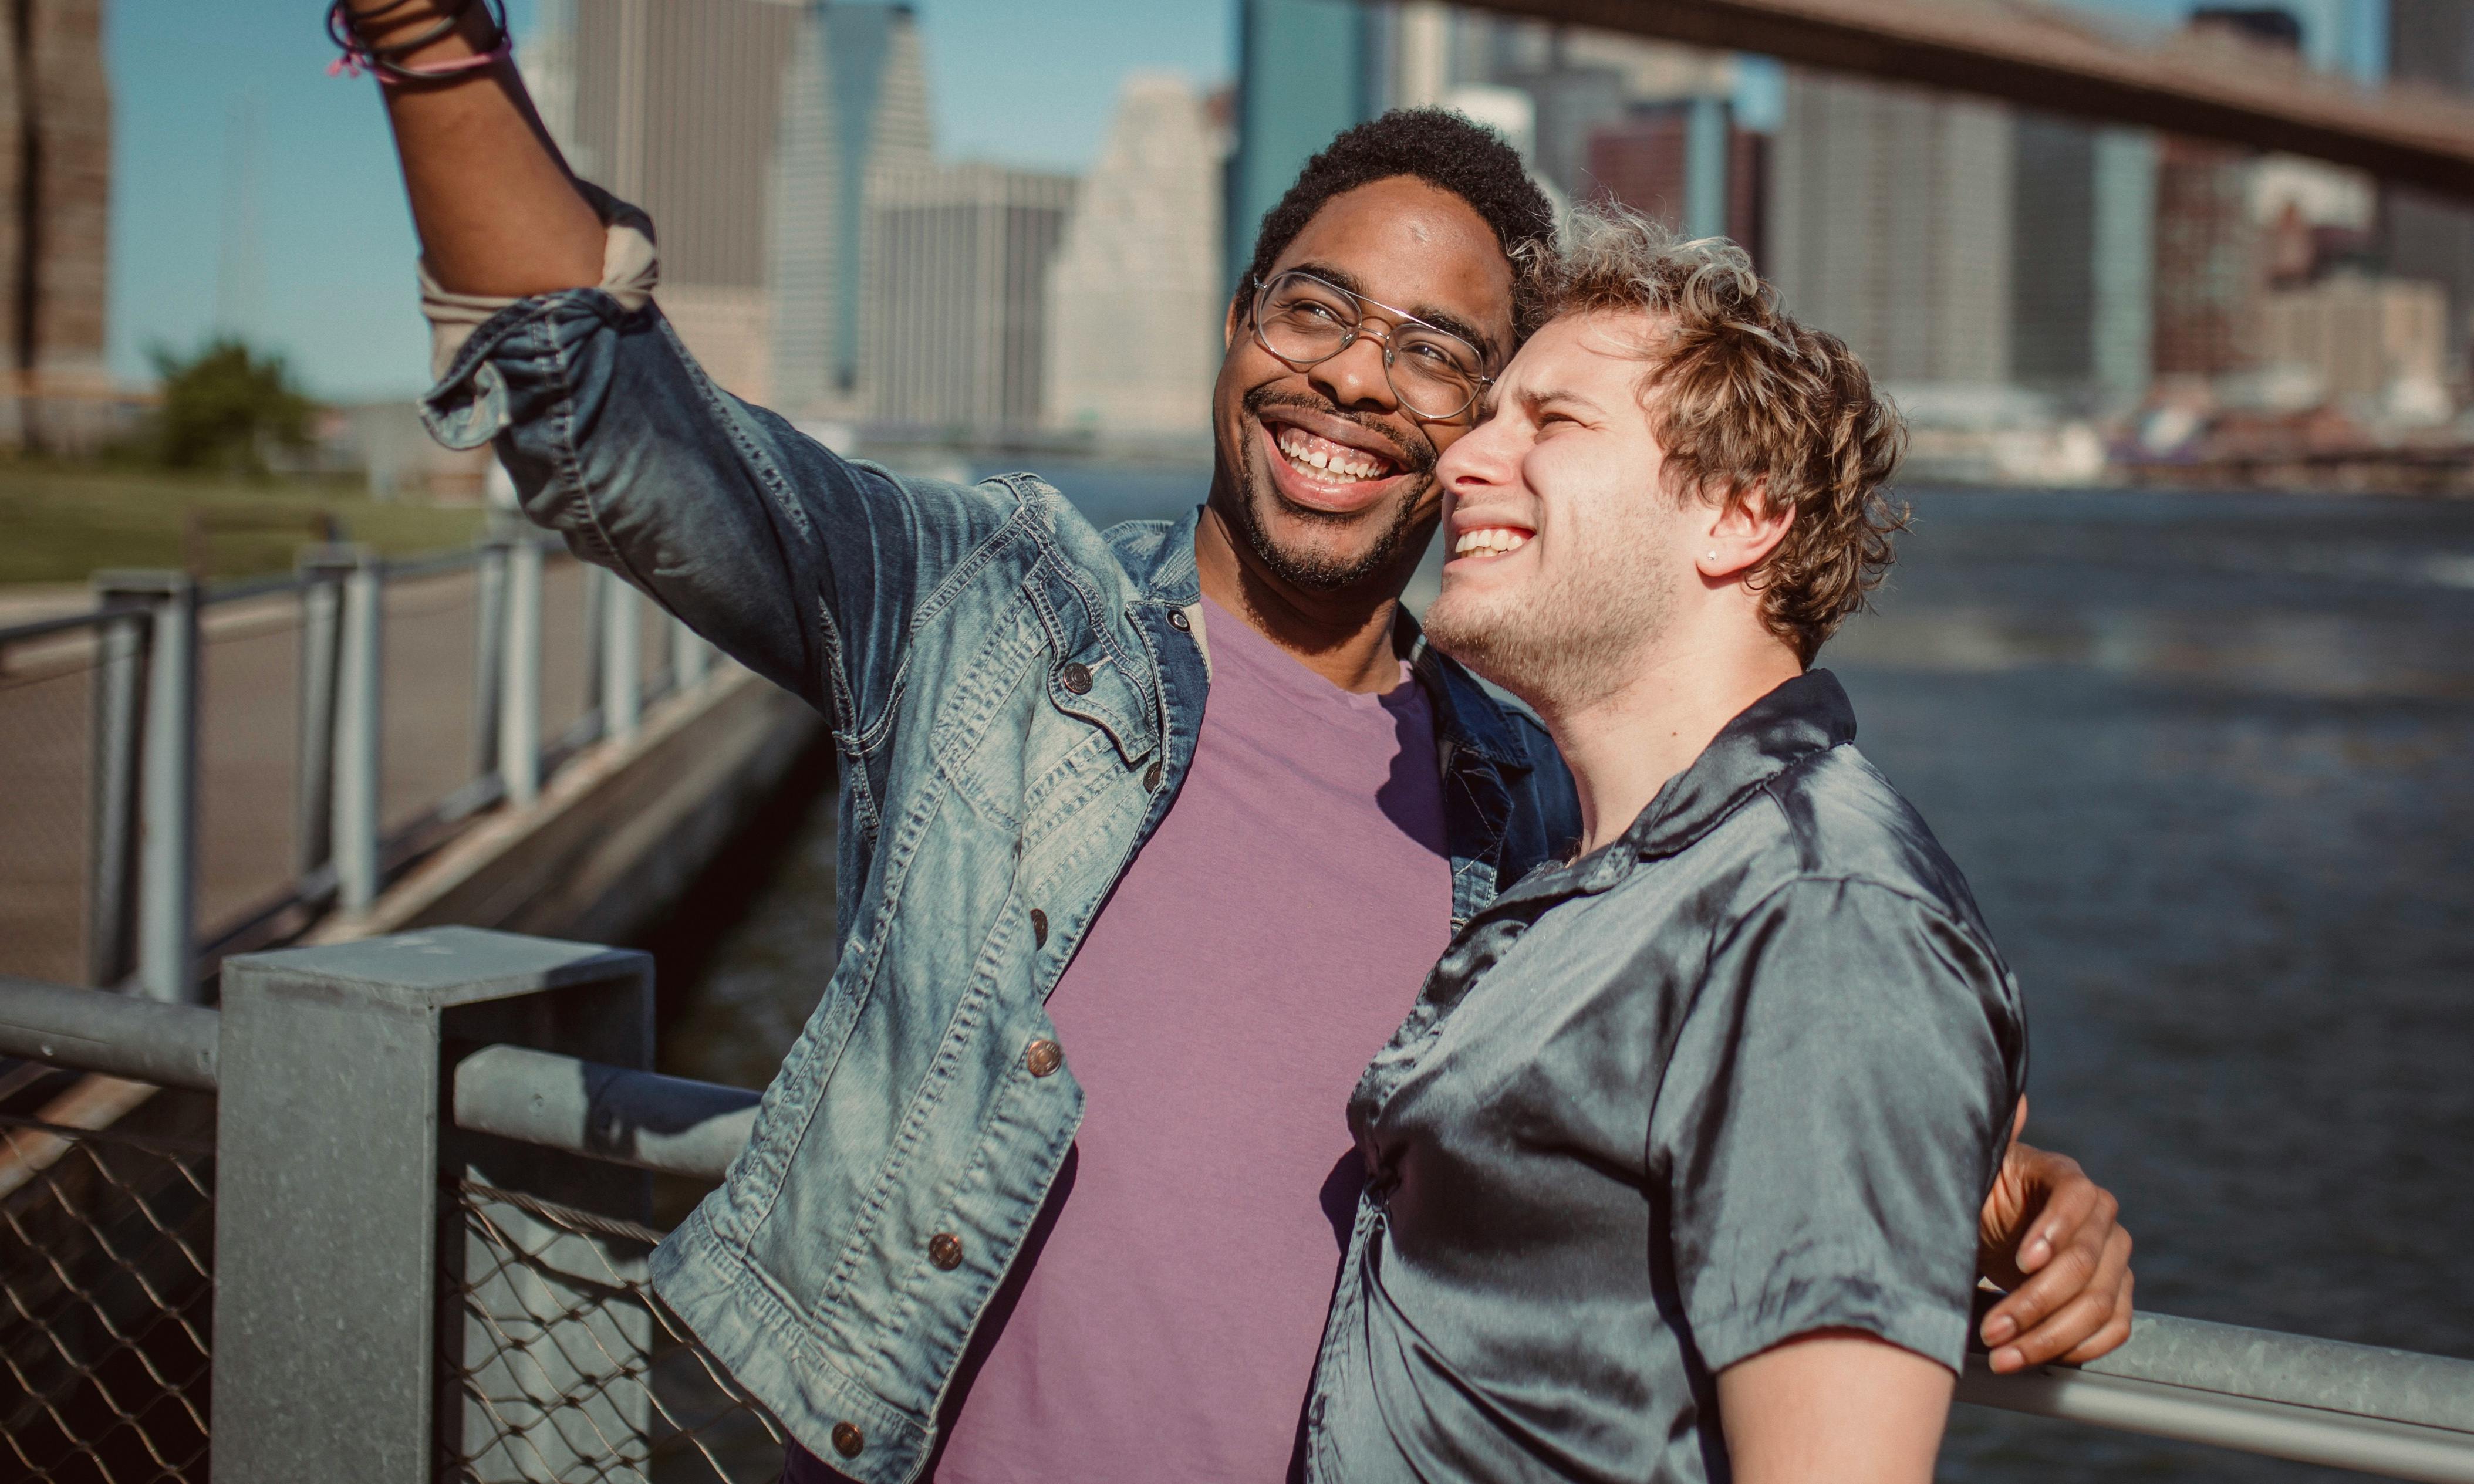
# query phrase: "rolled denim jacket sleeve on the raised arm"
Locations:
[[800, 565]]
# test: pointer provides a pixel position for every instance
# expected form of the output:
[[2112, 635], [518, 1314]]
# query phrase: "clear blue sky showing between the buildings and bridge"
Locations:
[[335, 291]]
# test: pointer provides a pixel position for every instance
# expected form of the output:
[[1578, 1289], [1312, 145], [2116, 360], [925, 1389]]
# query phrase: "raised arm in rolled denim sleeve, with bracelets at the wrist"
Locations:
[[800, 565]]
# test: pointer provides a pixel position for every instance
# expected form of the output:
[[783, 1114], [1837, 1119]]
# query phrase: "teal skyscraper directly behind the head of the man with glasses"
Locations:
[[1305, 70]]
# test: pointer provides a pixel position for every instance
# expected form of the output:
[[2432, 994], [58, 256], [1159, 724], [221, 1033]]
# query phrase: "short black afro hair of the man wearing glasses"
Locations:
[[1449, 152]]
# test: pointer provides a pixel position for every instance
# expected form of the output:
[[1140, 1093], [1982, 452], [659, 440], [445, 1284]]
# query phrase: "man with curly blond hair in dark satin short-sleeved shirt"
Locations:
[[1676, 1169]]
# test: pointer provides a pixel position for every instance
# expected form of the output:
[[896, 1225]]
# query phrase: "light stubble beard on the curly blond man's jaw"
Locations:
[[1567, 639]]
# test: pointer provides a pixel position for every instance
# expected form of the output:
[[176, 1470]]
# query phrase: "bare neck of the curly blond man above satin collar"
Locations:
[[1627, 743]]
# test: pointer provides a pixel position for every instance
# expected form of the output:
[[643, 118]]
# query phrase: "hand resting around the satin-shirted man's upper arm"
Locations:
[[2050, 1238]]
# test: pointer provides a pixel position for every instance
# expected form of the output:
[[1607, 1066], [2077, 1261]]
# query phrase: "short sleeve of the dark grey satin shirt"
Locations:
[[1832, 1119]]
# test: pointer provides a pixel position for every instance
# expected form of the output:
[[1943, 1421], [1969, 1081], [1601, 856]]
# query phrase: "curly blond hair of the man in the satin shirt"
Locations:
[[1750, 407]]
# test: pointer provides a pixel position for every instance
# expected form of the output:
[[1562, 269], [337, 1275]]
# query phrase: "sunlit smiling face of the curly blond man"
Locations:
[[1567, 555]]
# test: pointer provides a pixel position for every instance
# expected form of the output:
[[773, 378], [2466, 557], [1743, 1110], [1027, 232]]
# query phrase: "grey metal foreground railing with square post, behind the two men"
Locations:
[[543, 1354]]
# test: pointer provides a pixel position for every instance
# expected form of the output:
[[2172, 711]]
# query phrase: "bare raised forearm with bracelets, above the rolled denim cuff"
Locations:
[[494, 202]]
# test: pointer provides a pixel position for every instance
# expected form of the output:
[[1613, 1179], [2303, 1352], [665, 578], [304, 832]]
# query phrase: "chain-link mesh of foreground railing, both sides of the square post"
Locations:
[[558, 1364]]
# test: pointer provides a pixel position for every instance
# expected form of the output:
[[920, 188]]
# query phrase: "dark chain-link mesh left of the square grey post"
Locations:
[[105, 1297]]
